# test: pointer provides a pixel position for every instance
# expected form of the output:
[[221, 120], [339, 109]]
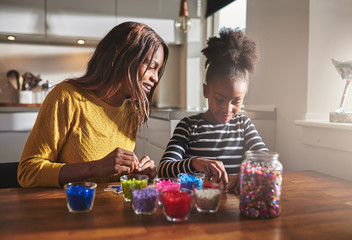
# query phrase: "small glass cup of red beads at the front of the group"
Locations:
[[177, 205]]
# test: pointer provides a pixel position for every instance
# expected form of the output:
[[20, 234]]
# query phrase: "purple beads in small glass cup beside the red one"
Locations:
[[145, 200]]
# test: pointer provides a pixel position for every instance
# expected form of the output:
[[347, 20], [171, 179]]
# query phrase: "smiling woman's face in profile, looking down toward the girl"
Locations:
[[151, 77]]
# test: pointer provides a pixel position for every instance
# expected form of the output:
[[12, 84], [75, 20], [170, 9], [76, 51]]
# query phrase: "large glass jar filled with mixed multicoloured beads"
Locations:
[[261, 178]]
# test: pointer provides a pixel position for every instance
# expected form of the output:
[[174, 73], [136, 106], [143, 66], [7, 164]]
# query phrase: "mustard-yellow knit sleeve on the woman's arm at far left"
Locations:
[[39, 164]]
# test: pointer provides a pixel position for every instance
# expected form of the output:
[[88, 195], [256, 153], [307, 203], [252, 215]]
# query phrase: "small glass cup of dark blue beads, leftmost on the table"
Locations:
[[80, 196]]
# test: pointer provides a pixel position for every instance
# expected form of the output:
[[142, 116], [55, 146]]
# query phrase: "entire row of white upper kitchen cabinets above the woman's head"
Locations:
[[51, 21]]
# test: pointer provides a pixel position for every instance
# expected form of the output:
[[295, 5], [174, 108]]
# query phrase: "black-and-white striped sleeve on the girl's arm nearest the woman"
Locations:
[[173, 161]]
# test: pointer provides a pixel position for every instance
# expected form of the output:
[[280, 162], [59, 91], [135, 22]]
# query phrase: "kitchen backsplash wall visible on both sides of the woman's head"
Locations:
[[56, 63]]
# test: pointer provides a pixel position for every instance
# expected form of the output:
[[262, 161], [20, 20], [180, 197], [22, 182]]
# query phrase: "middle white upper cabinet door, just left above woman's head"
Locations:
[[80, 18]]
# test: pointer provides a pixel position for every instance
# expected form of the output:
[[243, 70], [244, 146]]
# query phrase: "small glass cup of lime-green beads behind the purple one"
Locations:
[[138, 180]]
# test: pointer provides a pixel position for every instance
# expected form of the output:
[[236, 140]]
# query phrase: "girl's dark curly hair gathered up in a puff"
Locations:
[[232, 55]]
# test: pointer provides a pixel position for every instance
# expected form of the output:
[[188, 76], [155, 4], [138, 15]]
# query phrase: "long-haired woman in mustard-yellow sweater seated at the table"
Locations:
[[86, 127]]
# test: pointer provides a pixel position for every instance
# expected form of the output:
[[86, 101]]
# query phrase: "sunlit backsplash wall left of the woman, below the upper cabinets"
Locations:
[[53, 63]]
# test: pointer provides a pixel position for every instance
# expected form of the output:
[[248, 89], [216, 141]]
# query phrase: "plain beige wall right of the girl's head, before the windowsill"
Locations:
[[280, 27]]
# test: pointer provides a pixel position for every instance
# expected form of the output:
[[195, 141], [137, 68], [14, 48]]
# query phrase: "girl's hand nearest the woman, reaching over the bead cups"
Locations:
[[211, 168]]
